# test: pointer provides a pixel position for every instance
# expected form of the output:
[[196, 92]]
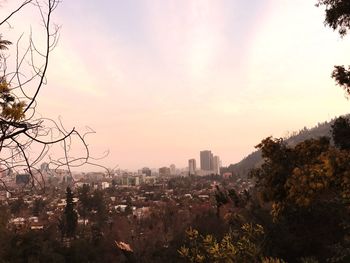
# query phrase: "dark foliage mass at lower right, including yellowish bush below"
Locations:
[[300, 202]]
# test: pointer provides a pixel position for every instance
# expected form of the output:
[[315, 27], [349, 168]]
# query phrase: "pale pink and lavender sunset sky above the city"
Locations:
[[161, 80]]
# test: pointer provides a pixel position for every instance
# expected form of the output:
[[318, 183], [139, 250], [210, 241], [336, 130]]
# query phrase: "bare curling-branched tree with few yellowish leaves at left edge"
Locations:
[[23, 71]]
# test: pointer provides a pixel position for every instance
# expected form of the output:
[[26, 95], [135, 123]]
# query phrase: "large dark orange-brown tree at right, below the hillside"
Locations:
[[308, 189]]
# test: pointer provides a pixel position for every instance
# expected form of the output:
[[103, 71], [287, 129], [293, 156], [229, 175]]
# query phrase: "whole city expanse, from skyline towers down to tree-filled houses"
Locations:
[[146, 210]]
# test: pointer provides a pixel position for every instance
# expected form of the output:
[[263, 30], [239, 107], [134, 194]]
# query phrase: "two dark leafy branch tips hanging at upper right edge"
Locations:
[[337, 16]]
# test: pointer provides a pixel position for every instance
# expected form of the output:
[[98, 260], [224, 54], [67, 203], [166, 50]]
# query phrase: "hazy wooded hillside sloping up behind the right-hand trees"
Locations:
[[254, 159]]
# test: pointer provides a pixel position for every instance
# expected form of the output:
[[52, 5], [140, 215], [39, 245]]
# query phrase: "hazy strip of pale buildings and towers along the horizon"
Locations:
[[209, 164]]
